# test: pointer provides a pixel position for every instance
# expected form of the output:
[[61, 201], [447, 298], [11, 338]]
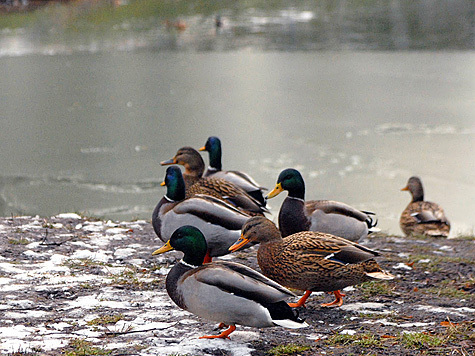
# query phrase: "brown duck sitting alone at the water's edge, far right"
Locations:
[[422, 217]]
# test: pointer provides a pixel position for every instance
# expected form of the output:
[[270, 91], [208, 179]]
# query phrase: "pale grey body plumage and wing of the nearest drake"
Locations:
[[230, 293]]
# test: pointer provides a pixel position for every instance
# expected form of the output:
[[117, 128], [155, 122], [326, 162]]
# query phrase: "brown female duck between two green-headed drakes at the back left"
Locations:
[[195, 182]]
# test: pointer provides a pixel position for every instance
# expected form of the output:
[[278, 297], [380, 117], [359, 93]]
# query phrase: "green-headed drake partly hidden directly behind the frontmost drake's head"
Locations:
[[220, 221]]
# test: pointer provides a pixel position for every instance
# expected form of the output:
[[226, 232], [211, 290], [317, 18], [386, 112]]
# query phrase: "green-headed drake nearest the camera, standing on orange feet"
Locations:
[[225, 292]]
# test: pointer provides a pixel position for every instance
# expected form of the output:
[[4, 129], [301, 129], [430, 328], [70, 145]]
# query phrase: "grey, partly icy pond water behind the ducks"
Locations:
[[358, 108]]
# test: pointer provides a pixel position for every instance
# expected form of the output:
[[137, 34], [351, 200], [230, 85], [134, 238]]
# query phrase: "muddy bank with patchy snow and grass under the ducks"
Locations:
[[76, 286]]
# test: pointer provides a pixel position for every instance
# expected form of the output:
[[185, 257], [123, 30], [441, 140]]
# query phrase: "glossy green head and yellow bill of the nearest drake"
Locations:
[[189, 240]]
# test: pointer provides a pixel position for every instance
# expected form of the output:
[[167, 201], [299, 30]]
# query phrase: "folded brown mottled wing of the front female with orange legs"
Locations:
[[326, 246]]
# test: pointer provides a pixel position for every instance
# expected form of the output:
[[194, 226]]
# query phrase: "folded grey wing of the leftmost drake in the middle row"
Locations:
[[212, 210]]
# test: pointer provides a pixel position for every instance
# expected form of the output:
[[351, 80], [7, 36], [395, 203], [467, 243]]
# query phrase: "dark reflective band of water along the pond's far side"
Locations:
[[308, 25]]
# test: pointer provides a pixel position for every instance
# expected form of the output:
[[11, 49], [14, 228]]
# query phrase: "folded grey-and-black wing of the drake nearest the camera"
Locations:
[[242, 281]]
